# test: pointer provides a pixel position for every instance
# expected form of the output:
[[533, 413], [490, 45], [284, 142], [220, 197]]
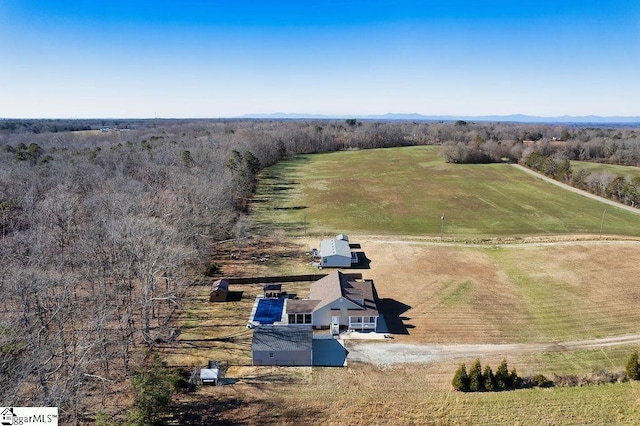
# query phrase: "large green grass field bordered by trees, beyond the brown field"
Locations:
[[405, 191]]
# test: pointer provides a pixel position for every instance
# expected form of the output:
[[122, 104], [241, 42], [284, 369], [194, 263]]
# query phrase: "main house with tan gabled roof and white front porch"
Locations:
[[336, 302]]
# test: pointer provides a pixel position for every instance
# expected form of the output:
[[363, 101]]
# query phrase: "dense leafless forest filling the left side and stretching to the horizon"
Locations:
[[105, 224]]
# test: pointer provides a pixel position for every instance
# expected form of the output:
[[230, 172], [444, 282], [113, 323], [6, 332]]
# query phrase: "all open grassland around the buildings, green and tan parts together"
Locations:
[[540, 275]]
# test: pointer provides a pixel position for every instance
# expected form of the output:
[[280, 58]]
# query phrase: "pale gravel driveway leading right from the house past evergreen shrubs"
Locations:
[[390, 353]]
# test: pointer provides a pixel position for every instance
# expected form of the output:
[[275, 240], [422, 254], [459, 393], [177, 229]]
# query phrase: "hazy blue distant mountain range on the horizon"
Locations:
[[514, 118]]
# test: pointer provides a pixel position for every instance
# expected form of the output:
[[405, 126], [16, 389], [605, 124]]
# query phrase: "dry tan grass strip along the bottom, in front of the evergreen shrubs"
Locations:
[[406, 395]]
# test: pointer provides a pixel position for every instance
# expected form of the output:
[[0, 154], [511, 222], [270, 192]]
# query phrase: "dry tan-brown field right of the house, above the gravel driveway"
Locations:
[[507, 294]]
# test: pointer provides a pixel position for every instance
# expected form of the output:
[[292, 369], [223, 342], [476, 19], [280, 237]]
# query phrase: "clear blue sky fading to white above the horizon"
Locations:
[[170, 58]]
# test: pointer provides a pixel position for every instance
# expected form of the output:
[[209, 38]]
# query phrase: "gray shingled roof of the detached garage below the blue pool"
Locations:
[[282, 338]]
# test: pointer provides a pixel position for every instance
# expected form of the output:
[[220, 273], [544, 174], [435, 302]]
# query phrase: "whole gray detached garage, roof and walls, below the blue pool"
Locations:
[[282, 345]]
